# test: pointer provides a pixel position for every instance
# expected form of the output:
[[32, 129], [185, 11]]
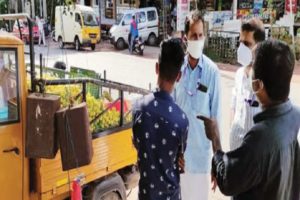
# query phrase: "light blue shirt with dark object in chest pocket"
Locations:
[[194, 101]]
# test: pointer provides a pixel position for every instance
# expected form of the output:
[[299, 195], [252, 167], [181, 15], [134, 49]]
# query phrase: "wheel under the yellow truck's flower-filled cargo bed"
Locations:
[[111, 188]]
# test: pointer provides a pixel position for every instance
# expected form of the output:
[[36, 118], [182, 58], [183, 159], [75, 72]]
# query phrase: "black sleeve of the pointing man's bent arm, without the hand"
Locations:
[[237, 171]]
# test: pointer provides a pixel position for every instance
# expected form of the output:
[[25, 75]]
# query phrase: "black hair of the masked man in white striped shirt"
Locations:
[[258, 31]]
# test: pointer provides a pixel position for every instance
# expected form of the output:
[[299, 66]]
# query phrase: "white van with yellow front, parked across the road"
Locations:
[[78, 25]]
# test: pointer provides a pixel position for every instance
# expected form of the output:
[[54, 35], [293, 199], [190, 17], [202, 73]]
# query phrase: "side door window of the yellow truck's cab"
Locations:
[[9, 97]]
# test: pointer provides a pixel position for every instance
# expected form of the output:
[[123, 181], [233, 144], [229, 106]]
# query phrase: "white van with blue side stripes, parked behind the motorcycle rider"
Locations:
[[147, 25]]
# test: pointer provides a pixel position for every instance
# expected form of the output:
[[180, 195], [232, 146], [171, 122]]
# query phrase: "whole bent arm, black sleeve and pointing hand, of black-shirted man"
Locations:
[[236, 171]]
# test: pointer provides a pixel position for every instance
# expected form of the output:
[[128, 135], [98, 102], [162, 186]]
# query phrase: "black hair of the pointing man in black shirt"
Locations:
[[274, 65]]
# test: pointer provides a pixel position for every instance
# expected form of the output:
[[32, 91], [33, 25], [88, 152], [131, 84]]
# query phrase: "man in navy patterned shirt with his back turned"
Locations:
[[160, 130]]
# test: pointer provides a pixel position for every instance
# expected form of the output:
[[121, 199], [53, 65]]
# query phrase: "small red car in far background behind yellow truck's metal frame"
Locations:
[[25, 31]]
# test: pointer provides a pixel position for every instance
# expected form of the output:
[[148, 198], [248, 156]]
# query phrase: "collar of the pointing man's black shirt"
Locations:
[[273, 111]]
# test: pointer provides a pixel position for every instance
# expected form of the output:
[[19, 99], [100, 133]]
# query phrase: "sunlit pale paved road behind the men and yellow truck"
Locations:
[[140, 71]]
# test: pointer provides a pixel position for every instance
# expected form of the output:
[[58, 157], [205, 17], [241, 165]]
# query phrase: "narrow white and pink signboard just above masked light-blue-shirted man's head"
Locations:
[[183, 8]]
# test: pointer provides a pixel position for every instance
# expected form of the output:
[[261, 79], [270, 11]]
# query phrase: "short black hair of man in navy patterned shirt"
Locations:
[[170, 59]]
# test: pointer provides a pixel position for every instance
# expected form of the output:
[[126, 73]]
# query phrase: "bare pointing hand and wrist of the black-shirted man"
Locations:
[[212, 132]]
